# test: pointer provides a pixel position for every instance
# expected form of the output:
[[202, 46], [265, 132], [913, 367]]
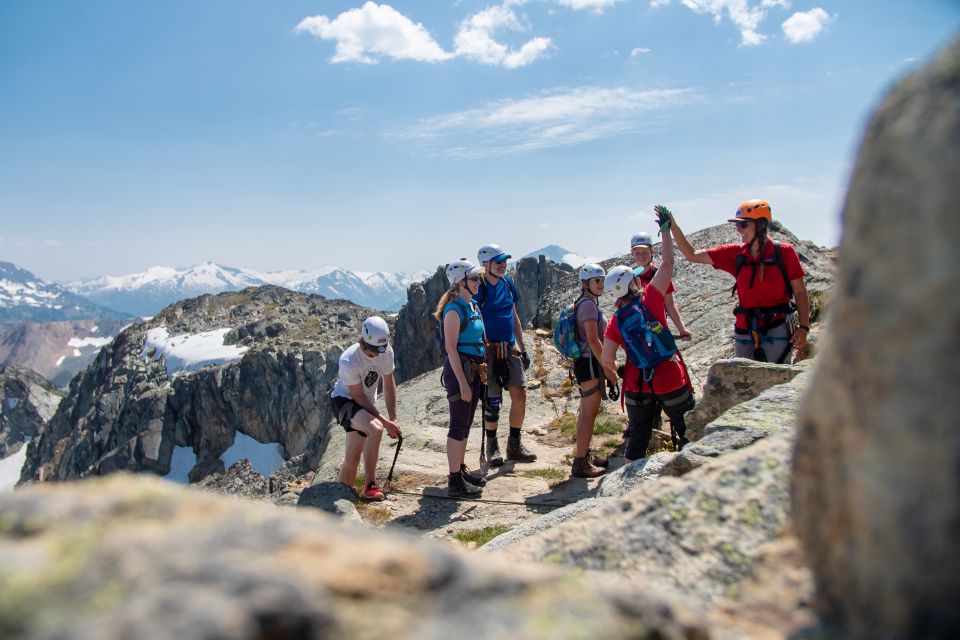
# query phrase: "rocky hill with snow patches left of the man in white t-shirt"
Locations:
[[178, 389]]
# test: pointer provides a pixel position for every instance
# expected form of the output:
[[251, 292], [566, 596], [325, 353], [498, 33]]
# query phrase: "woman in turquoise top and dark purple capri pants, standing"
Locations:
[[463, 370]]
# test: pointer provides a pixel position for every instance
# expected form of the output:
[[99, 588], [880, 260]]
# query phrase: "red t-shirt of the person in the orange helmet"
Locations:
[[768, 291]]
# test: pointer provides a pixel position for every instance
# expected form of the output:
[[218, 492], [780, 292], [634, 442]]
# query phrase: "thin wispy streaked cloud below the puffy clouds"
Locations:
[[558, 118]]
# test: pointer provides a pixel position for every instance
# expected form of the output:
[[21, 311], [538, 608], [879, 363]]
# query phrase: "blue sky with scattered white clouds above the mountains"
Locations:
[[397, 136]]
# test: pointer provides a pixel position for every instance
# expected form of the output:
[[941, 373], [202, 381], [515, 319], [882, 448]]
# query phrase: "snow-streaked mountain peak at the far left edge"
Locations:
[[26, 298]]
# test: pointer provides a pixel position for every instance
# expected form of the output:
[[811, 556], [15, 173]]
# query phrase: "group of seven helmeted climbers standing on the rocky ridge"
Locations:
[[482, 341]]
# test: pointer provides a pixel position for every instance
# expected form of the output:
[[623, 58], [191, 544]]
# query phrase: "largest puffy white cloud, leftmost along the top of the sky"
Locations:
[[374, 31]]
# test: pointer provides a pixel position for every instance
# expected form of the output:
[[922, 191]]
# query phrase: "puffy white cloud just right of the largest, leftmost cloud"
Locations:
[[475, 39]]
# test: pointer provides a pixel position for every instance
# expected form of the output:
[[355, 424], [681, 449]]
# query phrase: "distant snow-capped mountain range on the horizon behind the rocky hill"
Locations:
[[147, 292]]
